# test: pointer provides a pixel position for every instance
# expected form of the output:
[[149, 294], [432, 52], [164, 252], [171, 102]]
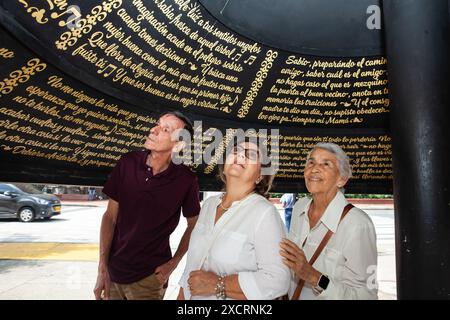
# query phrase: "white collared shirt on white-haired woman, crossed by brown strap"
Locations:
[[350, 257]]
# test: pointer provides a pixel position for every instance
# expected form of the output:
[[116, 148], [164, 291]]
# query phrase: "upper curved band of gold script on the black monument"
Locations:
[[178, 55]]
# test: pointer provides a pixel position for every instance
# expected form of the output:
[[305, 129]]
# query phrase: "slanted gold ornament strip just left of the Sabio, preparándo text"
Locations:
[[261, 75]]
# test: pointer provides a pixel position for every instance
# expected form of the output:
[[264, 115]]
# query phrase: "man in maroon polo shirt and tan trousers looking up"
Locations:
[[147, 192]]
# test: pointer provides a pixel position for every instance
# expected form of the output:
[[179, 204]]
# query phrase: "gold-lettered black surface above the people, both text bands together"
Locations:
[[120, 63]]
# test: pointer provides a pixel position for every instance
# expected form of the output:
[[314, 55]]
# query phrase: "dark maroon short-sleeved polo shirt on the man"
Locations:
[[149, 211]]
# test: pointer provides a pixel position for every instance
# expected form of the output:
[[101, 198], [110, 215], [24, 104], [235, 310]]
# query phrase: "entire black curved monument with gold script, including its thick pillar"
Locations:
[[81, 83]]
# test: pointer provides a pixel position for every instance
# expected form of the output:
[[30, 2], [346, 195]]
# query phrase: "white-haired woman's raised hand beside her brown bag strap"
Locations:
[[295, 259]]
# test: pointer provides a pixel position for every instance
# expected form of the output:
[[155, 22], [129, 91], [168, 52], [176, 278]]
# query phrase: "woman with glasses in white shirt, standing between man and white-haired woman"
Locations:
[[233, 250]]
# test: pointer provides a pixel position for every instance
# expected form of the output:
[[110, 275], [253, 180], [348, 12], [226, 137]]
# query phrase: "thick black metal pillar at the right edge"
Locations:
[[417, 45]]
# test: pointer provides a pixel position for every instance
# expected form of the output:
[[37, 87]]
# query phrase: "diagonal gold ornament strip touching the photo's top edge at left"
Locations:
[[85, 25]]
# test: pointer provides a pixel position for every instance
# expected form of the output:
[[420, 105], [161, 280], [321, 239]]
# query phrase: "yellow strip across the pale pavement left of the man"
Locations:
[[49, 251]]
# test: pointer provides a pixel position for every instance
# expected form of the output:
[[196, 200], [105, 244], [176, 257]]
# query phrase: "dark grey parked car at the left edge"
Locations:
[[15, 203]]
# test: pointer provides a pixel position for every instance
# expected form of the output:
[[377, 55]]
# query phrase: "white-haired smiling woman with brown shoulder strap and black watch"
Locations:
[[331, 247]]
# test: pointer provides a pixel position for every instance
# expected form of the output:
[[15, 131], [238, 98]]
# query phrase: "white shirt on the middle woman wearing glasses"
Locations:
[[245, 242]]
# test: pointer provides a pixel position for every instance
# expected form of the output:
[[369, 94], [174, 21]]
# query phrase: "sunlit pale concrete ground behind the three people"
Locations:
[[57, 259]]
